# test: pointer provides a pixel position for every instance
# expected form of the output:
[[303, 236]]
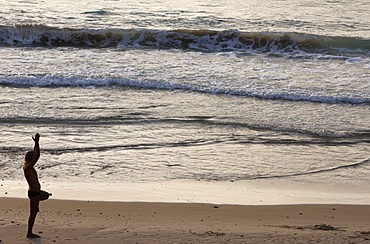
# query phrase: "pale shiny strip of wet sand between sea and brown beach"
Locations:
[[264, 192]]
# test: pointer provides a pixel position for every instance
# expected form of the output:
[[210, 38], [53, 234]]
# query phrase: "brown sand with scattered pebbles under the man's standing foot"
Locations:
[[66, 221]]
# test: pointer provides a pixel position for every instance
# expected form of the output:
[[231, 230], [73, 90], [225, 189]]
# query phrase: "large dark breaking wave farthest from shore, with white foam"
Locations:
[[202, 40]]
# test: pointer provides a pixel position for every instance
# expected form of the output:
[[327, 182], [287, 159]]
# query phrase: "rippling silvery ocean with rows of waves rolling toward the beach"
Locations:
[[155, 91]]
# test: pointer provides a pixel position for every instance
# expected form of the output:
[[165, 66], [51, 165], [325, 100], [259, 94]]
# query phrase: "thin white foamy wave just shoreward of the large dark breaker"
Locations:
[[262, 93]]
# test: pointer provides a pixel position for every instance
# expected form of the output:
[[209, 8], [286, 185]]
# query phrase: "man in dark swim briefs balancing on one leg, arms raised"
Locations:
[[35, 194]]
